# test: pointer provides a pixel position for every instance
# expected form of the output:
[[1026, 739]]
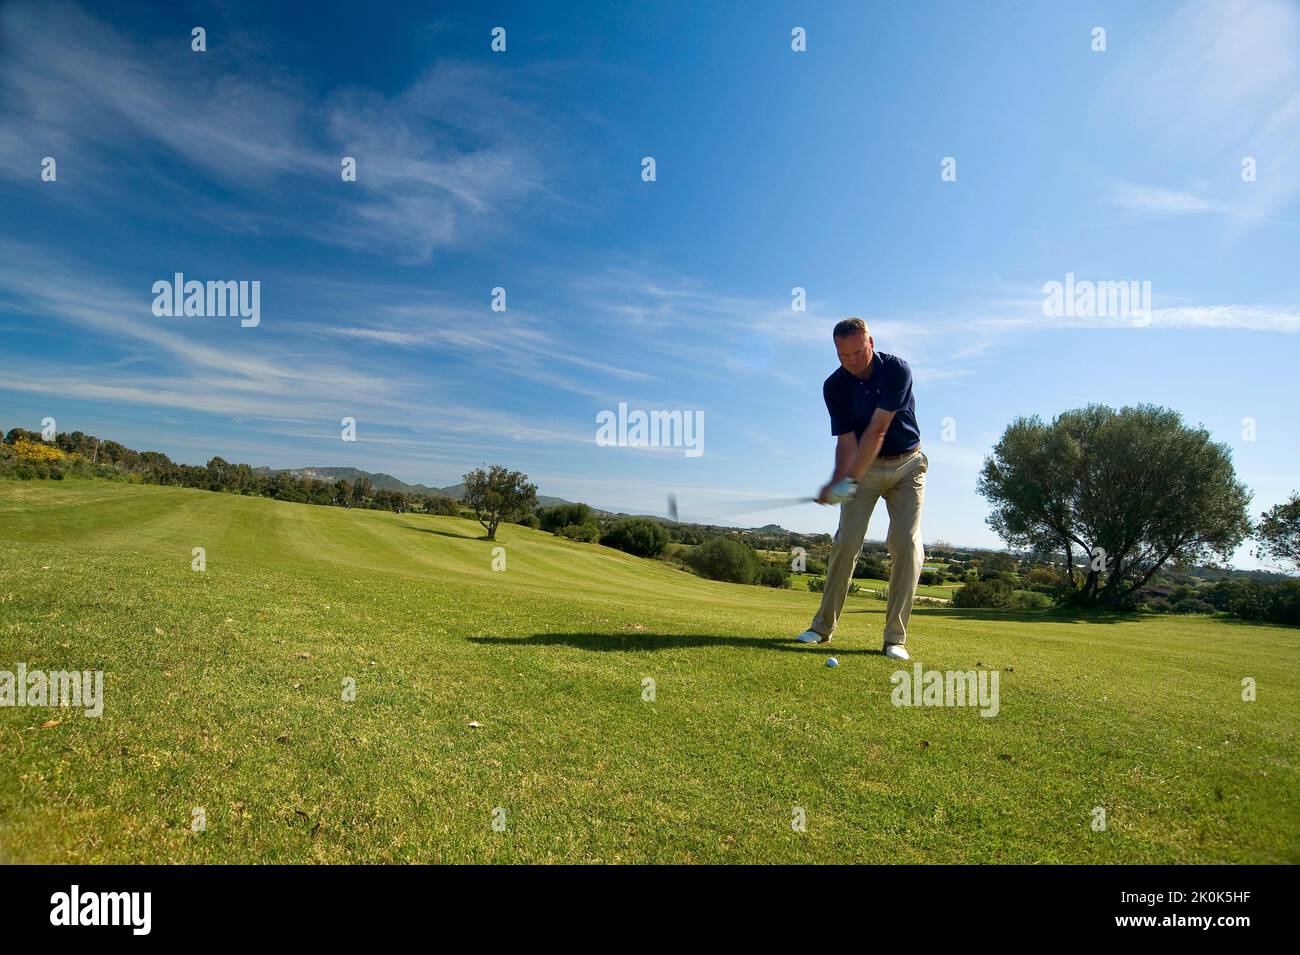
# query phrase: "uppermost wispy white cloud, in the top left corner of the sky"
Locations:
[[436, 162]]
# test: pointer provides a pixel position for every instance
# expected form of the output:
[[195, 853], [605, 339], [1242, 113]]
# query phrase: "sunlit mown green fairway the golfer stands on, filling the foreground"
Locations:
[[223, 692]]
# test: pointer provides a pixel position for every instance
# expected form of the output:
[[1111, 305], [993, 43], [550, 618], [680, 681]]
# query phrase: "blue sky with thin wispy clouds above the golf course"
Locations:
[[775, 170]]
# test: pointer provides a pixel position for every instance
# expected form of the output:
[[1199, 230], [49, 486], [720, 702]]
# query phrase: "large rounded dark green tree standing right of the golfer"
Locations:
[[1129, 490]]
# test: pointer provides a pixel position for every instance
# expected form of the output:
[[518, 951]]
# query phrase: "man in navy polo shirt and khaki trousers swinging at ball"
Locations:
[[877, 455]]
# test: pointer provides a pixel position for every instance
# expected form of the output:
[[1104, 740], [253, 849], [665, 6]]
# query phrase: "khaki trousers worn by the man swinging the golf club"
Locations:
[[903, 484]]
